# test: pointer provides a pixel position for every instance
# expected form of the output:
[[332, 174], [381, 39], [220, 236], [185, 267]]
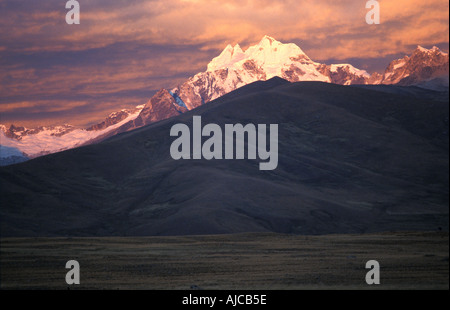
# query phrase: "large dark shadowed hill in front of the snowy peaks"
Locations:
[[352, 159]]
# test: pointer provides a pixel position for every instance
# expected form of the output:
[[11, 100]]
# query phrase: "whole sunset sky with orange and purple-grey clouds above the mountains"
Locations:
[[122, 52]]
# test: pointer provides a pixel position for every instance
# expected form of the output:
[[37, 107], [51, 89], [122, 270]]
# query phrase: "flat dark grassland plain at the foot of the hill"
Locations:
[[408, 260]]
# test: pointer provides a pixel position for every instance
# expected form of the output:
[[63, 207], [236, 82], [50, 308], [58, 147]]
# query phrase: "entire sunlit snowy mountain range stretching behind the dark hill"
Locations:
[[232, 69]]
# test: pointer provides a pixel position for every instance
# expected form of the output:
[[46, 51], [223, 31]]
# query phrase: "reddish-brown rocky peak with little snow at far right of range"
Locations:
[[424, 64]]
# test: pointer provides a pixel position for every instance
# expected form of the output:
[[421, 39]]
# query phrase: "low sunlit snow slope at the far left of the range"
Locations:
[[40, 141]]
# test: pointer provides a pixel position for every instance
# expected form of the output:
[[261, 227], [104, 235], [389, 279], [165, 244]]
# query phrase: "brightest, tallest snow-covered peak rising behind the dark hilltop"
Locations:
[[234, 68]]
